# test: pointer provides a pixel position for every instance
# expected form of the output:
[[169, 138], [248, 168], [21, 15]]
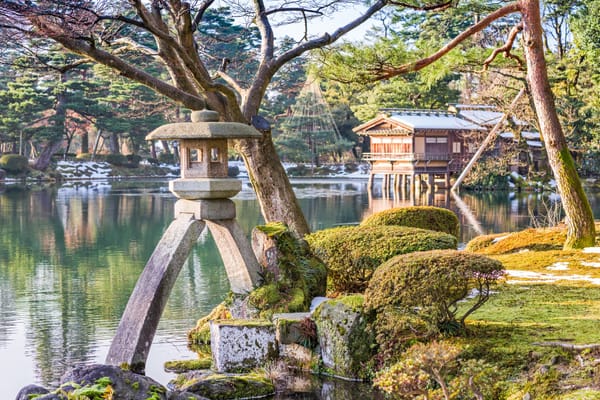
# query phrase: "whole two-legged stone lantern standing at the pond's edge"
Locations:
[[203, 191]]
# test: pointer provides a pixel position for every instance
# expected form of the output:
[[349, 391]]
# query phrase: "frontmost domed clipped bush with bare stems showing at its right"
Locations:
[[430, 284]]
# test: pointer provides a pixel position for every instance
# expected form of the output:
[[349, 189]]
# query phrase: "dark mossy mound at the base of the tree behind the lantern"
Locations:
[[293, 279]]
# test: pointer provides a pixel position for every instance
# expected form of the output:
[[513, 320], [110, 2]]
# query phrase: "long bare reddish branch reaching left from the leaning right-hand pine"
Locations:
[[422, 63]]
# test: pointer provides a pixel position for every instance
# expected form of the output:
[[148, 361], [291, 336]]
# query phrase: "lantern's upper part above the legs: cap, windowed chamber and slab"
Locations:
[[203, 154]]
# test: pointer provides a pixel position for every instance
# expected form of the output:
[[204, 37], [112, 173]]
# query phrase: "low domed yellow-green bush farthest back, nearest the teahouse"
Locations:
[[424, 217]]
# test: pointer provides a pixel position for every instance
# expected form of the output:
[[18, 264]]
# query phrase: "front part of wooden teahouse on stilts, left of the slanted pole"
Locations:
[[411, 144]]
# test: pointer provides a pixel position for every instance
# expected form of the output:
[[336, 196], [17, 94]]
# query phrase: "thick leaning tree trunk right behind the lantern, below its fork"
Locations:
[[273, 189]]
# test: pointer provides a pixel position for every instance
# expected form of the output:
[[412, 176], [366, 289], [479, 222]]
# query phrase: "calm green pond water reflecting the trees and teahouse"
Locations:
[[70, 257]]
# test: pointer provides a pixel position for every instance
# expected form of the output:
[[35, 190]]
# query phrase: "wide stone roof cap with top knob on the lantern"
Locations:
[[205, 125]]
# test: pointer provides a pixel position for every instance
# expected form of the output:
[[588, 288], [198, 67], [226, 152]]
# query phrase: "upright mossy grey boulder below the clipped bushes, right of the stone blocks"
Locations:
[[344, 338]]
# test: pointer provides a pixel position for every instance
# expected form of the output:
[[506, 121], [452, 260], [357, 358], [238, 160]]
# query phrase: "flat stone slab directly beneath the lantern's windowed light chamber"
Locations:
[[205, 188]]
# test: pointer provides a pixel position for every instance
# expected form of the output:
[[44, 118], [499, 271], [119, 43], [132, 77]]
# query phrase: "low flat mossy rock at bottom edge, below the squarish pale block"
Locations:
[[225, 386]]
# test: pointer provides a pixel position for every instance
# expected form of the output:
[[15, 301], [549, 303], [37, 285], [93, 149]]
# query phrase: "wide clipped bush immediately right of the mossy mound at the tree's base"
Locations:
[[352, 253]]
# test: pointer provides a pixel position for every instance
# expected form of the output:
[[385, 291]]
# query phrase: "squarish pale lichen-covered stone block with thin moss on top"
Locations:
[[239, 345]]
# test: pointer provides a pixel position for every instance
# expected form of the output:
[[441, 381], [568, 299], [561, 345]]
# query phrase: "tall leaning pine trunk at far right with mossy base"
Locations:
[[580, 220]]
